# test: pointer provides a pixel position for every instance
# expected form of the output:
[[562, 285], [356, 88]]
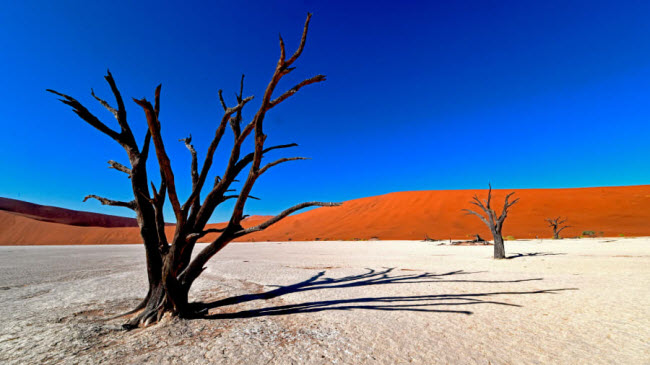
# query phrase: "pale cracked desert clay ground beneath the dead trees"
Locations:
[[578, 301]]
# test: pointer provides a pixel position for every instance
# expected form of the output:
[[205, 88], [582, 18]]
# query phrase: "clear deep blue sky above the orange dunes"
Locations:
[[419, 96]]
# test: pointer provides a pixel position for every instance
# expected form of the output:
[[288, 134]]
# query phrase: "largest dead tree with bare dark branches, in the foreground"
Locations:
[[170, 266]]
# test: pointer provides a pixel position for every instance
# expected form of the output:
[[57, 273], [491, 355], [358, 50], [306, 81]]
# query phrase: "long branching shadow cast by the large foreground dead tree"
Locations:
[[415, 303]]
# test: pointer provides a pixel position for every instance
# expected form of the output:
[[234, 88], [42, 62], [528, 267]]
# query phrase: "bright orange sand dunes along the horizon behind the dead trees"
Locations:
[[404, 215]]
